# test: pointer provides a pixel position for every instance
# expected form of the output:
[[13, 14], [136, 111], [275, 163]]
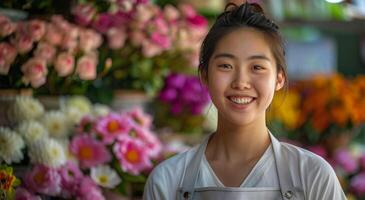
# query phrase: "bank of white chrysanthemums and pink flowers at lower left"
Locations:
[[81, 151]]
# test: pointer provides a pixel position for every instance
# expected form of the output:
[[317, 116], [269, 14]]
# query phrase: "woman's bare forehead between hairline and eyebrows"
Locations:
[[243, 43]]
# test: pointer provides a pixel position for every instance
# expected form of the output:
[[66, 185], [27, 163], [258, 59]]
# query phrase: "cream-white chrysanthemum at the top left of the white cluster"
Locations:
[[26, 108]]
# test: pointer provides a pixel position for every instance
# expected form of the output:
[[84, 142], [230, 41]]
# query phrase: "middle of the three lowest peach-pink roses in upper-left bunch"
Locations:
[[64, 64]]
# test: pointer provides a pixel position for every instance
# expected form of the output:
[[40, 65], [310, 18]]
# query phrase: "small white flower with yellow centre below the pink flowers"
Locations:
[[105, 176]]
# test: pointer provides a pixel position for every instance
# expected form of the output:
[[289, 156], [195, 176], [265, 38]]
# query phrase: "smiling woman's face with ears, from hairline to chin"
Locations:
[[242, 77]]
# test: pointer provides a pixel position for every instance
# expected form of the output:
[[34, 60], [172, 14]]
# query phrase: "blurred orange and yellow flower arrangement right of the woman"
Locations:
[[321, 106]]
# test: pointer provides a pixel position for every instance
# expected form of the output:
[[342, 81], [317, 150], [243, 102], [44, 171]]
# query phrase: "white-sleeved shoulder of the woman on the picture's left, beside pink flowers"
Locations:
[[166, 177]]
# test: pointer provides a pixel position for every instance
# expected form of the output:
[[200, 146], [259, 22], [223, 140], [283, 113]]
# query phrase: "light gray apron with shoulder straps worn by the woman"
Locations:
[[287, 190]]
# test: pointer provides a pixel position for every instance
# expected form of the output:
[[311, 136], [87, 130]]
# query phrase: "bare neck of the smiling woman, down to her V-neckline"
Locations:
[[230, 141]]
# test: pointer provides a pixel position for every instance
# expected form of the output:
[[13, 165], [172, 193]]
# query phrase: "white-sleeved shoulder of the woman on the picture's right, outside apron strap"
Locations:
[[315, 174]]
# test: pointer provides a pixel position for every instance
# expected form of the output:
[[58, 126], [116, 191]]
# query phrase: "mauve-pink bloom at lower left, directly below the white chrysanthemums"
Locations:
[[44, 180]]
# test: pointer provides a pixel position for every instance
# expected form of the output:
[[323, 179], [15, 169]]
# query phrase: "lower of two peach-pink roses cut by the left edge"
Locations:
[[7, 57]]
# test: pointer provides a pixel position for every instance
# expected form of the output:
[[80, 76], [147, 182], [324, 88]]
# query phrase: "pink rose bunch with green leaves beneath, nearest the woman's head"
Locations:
[[145, 41]]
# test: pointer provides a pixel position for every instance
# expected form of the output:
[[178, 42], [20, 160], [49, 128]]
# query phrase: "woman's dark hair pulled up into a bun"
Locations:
[[245, 15]]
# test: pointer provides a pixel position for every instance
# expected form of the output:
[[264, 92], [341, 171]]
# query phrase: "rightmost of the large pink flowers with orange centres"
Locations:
[[132, 155]]
